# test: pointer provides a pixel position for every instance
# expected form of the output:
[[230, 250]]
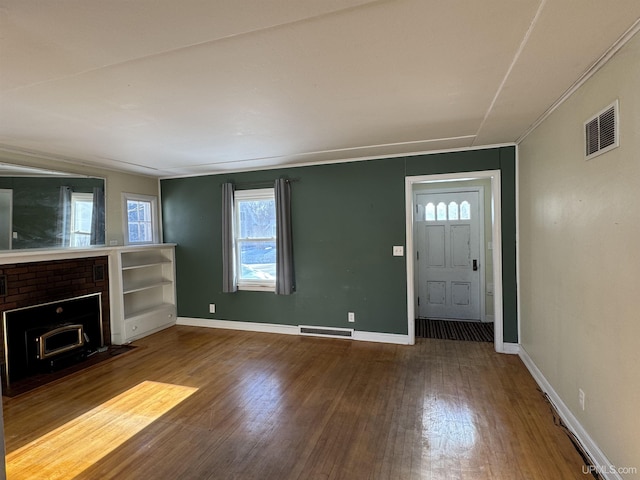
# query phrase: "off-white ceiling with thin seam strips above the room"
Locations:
[[180, 87]]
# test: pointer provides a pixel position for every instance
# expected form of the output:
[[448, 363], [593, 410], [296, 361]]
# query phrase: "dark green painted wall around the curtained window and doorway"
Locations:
[[346, 218]]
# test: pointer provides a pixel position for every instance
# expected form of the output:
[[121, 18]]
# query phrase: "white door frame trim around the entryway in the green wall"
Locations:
[[496, 226]]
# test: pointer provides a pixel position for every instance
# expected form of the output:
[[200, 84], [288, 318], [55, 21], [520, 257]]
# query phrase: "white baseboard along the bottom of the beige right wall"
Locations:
[[602, 463]]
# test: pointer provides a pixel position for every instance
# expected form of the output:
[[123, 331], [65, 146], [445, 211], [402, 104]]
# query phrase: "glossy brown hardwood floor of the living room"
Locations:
[[195, 403]]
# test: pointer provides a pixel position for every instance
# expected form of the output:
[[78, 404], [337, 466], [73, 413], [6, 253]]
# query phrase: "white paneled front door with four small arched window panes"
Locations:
[[448, 255]]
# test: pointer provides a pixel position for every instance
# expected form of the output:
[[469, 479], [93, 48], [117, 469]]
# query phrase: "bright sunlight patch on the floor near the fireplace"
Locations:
[[72, 448]]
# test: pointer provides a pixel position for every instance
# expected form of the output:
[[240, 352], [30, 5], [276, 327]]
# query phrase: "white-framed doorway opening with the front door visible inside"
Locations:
[[454, 265]]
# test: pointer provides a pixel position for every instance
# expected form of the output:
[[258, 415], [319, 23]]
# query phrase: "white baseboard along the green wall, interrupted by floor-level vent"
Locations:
[[286, 329]]
